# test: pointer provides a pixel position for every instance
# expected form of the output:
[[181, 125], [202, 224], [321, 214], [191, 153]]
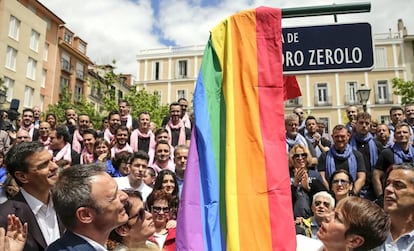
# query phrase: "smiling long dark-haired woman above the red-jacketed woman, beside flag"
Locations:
[[167, 181]]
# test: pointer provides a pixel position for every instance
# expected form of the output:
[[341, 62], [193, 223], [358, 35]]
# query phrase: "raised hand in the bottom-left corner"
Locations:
[[15, 238]]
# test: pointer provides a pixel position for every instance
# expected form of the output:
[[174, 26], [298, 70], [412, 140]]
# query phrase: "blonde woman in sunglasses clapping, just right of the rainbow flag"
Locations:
[[304, 182]]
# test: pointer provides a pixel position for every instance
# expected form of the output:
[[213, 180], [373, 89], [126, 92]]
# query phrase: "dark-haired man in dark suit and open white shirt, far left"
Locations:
[[32, 167]]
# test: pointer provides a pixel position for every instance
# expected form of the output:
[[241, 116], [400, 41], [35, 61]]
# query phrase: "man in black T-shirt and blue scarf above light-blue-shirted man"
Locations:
[[402, 151]]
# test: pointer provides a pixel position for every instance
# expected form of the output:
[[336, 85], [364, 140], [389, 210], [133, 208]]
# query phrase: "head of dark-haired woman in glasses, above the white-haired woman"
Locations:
[[341, 184]]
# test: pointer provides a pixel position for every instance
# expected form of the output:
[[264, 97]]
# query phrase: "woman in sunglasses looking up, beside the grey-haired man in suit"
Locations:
[[134, 234]]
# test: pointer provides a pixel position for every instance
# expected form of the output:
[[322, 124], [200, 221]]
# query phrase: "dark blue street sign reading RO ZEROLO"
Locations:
[[340, 47]]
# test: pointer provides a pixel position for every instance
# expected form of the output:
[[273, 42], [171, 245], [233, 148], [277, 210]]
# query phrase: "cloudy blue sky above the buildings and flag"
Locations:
[[119, 29]]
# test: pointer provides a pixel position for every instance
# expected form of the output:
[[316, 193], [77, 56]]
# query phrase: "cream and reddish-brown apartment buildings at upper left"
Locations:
[[42, 56]]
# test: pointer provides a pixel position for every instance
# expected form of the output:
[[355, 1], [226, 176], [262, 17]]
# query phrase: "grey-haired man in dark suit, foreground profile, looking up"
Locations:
[[90, 205]]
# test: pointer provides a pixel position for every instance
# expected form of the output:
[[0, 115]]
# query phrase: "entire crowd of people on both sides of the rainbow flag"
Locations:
[[71, 187]]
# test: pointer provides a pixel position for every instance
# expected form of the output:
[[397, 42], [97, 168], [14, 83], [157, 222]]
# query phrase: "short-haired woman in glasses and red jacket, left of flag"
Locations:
[[158, 202]]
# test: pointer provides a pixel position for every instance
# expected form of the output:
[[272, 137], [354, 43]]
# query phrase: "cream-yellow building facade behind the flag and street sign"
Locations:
[[172, 73]]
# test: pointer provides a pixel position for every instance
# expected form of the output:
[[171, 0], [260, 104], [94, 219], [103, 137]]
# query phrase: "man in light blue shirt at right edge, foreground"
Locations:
[[399, 204]]
